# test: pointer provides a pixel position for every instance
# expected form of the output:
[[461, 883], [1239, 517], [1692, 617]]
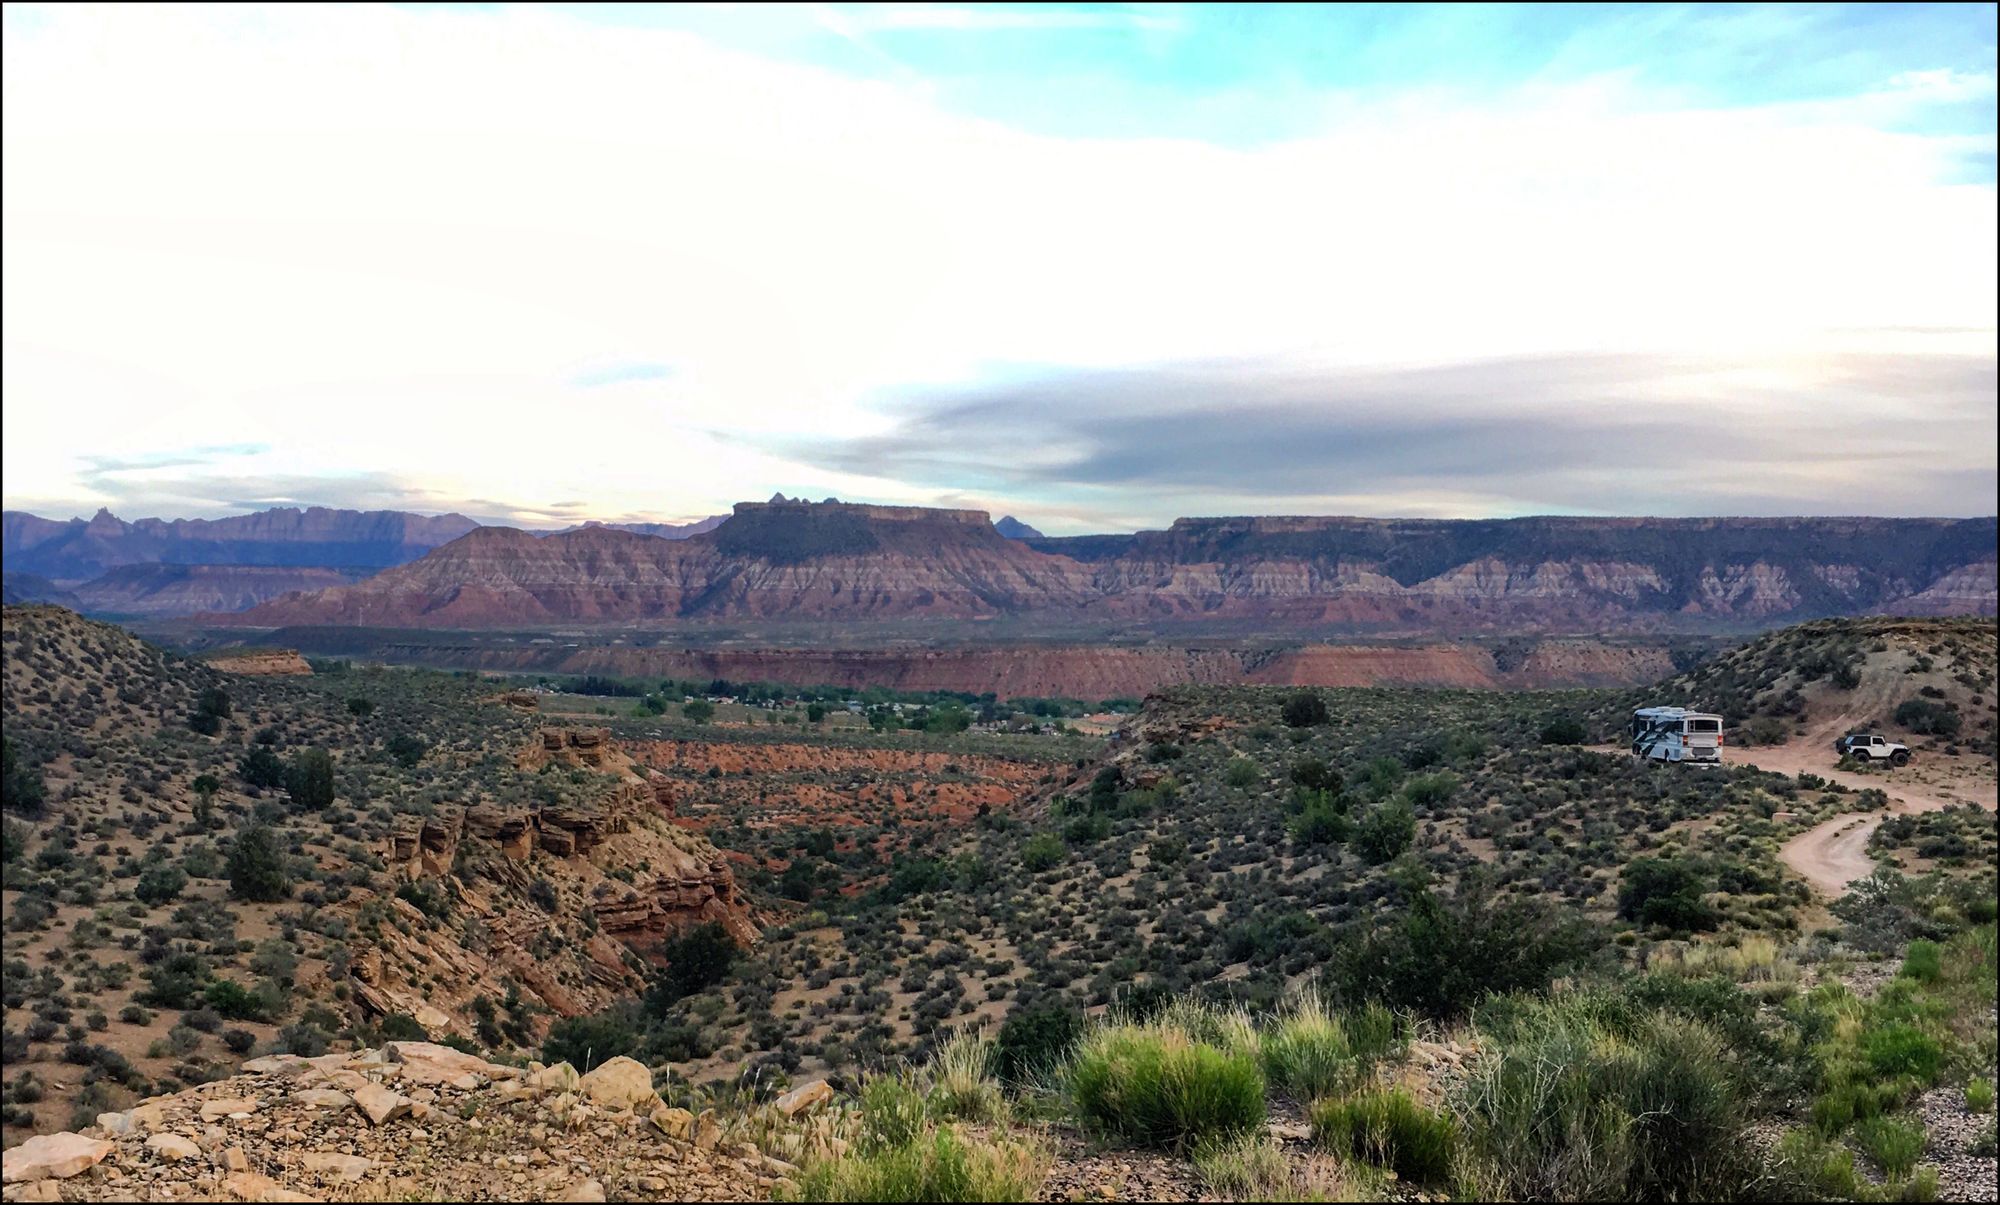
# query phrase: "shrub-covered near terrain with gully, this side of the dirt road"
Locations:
[[1345, 908]]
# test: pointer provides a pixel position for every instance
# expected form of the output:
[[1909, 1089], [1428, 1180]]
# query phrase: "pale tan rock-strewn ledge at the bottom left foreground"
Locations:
[[419, 1122]]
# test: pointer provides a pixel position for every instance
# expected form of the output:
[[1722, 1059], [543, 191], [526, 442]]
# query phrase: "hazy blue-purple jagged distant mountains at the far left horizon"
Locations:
[[77, 549]]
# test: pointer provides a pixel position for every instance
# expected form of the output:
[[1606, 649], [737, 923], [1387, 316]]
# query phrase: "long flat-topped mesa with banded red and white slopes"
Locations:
[[787, 561]]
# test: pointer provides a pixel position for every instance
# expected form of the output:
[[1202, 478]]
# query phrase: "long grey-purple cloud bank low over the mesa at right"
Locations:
[[1603, 433]]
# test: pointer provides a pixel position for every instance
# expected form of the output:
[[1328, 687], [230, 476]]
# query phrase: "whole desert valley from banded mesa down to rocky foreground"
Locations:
[[1339, 810]]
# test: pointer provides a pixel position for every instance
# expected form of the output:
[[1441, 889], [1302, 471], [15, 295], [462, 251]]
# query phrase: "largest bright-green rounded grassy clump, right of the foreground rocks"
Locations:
[[1157, 1088]]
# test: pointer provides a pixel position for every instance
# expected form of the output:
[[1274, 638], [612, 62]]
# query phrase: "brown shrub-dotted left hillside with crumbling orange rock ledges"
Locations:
[[459, 870]]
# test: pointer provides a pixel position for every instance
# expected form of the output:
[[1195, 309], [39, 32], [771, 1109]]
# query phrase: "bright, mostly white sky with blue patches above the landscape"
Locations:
[[1097, 267]]
